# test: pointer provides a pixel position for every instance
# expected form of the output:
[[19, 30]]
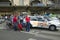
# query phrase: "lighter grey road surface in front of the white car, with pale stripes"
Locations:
[[52, 35]]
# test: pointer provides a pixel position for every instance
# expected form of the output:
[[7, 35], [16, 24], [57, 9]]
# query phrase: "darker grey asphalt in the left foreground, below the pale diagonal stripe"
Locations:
[[16, 35]]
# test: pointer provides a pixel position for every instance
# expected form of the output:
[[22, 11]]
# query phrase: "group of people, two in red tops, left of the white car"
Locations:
[[18, 22]]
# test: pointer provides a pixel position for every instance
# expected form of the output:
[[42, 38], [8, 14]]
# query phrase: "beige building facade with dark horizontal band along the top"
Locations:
[[36, 6]]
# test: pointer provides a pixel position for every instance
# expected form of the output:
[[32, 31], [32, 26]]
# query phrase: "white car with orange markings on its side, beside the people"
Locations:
[[44, 23]]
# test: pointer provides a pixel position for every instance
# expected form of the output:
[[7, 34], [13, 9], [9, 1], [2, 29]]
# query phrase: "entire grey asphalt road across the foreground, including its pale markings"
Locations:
[[34, 34]]
